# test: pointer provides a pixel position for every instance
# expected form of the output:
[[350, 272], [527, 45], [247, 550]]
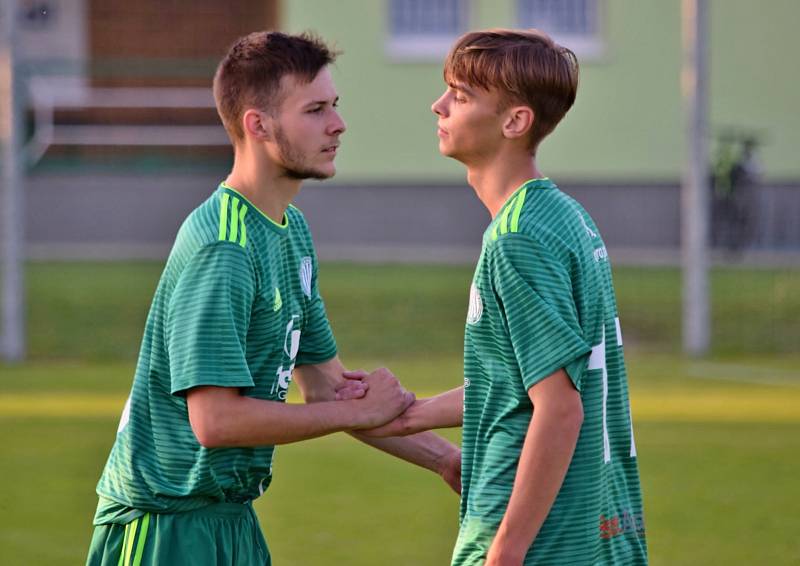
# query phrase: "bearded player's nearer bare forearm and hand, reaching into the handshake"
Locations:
[[221, 416]]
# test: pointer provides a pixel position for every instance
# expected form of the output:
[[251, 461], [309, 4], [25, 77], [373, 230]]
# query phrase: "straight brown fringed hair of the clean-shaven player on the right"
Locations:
[[524, 66]]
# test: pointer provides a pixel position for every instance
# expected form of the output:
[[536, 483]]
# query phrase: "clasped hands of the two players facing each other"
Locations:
[[382, 404]]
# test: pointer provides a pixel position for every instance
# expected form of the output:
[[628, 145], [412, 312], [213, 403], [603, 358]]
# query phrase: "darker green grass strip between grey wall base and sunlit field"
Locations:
[[384, 310]]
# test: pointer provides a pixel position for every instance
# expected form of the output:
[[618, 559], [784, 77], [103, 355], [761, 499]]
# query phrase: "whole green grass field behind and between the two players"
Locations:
[[718, 439]]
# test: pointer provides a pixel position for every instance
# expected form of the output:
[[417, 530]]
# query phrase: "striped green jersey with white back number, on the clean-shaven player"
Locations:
[[542, 299]]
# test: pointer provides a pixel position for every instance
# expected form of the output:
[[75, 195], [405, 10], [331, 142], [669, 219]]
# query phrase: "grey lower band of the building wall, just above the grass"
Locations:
[[123, 217]]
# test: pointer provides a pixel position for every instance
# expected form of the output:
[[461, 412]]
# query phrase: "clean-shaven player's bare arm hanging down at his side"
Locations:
[[545, 458]]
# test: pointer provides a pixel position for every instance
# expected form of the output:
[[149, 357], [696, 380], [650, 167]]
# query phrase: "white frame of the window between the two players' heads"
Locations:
[[423, 47]]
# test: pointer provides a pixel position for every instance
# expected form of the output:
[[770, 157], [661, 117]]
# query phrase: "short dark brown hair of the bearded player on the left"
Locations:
[[250, 74]]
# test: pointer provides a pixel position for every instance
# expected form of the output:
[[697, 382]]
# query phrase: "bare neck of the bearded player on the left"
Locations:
[[263, 184]]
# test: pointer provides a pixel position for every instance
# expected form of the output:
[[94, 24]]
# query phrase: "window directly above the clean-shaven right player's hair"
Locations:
[[573, 23]]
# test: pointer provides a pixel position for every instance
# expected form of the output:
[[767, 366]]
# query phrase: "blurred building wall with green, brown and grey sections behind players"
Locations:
[[618, 151]]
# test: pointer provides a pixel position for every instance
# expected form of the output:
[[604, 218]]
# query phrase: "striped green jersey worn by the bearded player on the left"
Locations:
[[236, 306]]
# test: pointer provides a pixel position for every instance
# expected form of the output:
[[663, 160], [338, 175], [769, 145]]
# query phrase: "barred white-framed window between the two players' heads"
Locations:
[[425, 29]]
